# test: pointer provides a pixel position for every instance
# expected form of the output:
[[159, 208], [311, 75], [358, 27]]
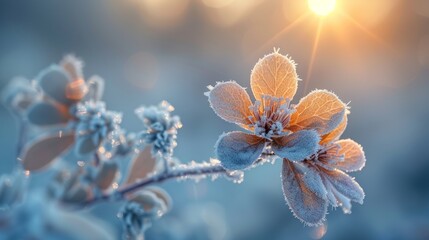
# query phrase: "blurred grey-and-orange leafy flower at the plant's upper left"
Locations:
[[62, 86]]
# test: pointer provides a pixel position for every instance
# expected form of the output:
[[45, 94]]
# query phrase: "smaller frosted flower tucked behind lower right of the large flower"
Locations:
[[311, 185]]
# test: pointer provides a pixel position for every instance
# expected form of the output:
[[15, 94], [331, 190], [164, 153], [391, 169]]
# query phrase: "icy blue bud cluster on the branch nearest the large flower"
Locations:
[[160, 128]]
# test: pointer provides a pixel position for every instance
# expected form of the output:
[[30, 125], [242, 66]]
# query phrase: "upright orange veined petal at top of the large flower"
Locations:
[[274, 75]]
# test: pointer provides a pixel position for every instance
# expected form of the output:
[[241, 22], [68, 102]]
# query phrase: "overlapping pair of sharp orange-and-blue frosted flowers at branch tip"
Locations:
[[303, 135]]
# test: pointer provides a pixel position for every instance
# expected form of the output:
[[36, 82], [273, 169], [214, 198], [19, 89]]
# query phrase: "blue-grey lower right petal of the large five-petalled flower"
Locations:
[[297, 146]]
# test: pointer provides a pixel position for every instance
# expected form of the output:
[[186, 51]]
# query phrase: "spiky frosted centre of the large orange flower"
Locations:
[[271, 116]]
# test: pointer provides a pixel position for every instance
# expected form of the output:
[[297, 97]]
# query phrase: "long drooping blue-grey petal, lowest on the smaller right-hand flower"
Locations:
[[304, 203]]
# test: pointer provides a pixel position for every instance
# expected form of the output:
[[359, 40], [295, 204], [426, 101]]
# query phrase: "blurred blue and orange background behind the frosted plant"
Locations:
[[374, 54]]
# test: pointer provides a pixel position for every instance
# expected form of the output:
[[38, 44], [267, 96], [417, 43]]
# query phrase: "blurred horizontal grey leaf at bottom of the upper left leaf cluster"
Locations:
[[46, 114]]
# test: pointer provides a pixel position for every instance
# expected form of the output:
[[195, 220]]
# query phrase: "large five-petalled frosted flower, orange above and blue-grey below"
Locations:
[[291, 132]]
